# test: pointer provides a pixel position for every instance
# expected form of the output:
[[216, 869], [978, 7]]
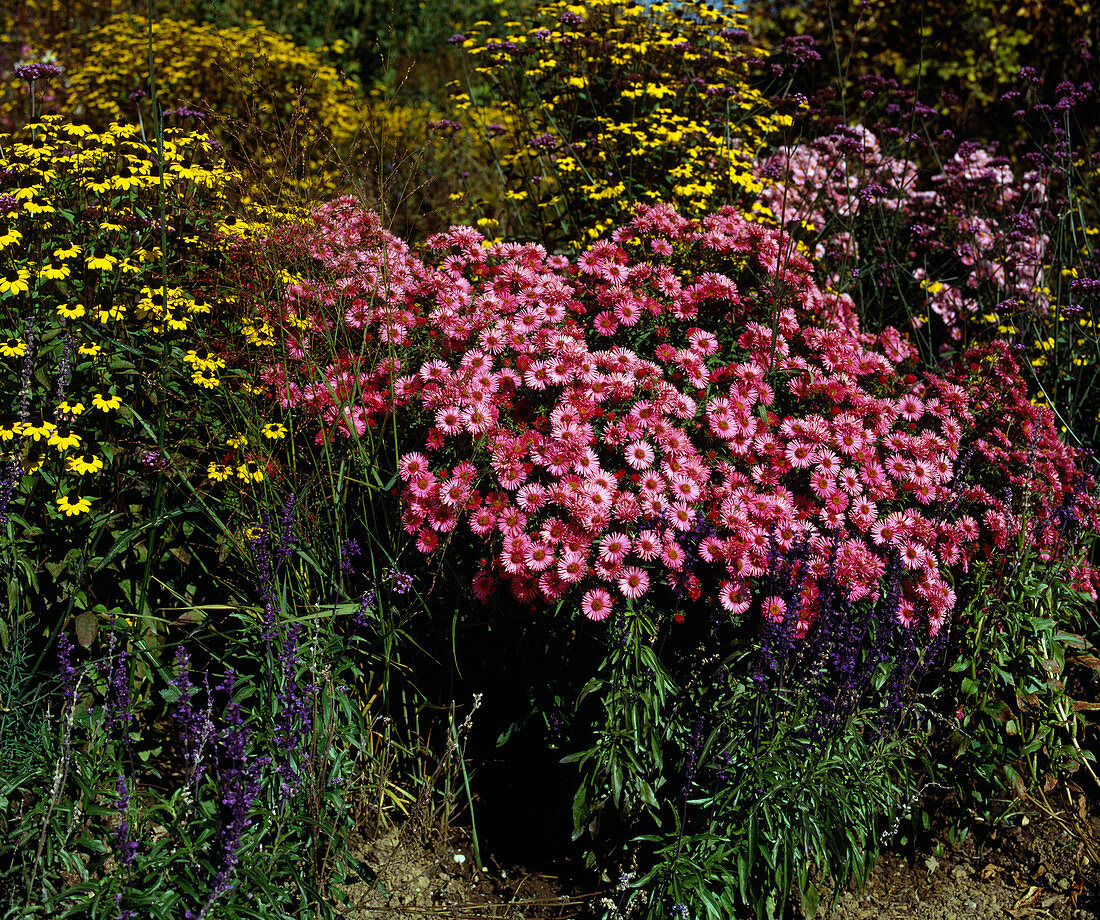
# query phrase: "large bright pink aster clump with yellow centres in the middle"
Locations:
[[680, 409]]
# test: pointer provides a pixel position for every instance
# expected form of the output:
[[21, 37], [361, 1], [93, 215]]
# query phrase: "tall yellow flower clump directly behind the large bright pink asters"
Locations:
[[604, 104]]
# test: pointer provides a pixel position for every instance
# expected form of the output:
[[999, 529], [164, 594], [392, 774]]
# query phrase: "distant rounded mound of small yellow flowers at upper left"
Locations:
[[284, 118]]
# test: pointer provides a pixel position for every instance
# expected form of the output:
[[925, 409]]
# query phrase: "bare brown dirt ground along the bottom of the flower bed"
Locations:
[[1039, 860]]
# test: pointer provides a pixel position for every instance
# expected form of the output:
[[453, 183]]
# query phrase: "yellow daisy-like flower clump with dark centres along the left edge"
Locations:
[[96, 341]]
